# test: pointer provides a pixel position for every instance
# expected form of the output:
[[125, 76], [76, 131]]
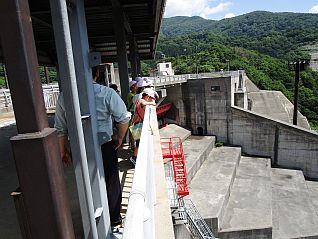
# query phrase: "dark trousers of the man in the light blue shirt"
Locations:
[[113, 186]]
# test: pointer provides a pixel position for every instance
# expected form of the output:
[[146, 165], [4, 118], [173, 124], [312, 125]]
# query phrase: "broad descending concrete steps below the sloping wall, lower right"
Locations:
[[243, 197]]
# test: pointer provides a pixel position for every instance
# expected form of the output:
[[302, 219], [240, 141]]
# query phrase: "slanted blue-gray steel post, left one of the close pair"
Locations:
[[73, 115]]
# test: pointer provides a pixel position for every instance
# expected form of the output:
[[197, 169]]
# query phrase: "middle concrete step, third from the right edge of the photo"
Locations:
[[249, 211]]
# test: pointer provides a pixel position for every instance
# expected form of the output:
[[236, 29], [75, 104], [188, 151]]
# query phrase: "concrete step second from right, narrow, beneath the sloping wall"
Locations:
[[294, 215]]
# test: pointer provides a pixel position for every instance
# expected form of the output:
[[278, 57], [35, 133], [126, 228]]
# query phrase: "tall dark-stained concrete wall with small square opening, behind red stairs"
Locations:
[[204, 103]]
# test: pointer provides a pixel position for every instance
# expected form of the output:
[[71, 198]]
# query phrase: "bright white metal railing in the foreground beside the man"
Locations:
[[139, 222]]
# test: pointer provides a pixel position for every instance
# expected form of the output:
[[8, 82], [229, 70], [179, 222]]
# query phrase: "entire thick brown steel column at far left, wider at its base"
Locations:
[[35, 148]]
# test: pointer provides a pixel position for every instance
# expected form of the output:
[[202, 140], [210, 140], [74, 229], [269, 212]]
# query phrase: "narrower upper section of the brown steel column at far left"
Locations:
[[18, 45]]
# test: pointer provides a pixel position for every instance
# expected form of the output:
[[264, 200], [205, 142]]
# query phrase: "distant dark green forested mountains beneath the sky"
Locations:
[[281, 35]]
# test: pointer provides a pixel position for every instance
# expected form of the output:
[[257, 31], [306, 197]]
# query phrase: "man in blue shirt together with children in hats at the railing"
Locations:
[[111, 113]]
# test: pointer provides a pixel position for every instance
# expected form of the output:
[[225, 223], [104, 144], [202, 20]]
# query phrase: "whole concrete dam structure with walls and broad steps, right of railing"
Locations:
[[262, 183]]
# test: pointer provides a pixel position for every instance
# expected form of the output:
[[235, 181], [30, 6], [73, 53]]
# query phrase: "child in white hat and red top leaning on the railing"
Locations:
[[148, 97]]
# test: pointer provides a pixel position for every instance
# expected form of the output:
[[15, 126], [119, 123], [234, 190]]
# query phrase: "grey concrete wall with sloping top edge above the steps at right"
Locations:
[[288, 146]]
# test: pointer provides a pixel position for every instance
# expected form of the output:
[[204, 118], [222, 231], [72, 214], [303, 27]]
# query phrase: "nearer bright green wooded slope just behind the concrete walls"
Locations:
[[266, 72]]
